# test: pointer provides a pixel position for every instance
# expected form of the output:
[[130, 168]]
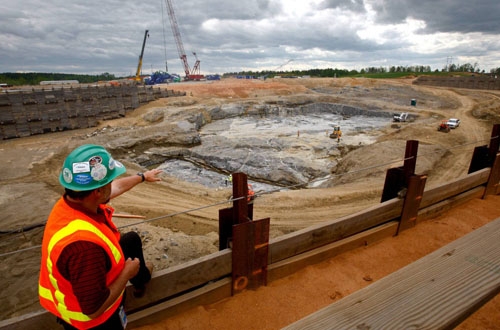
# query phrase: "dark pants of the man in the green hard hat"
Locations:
[[131, 245]]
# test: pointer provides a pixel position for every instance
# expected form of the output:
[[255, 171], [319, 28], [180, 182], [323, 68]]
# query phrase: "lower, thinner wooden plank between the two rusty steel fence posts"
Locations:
[[291, 265]]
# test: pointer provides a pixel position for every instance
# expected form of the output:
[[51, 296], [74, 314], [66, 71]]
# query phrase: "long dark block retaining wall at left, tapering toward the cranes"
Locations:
[[37, 111]]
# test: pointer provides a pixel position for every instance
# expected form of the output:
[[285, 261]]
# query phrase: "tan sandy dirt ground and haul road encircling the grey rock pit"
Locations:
[[31, 165]]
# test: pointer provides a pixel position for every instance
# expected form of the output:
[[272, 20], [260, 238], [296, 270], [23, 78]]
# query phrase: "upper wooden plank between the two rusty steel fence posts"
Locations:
[[312, 237]]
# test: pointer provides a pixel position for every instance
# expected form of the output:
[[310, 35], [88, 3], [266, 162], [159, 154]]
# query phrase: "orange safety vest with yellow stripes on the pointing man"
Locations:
[[65, 226]]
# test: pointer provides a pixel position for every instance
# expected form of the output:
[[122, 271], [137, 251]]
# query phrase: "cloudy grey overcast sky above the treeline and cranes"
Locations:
[[97, 36]]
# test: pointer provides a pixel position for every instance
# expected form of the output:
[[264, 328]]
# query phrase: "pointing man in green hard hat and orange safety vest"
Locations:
[[85, 263]]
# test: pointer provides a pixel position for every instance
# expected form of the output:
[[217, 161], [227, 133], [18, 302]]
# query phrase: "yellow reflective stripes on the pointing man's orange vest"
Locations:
[[57, 298]]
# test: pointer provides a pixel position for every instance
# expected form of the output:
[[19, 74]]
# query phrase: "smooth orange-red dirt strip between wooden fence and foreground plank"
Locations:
[[286, 300]]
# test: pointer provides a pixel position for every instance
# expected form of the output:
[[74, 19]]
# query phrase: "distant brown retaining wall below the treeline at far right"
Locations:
[[473, 82]]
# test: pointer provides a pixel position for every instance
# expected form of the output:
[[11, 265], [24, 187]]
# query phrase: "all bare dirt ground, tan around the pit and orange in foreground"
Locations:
[[29, 186]]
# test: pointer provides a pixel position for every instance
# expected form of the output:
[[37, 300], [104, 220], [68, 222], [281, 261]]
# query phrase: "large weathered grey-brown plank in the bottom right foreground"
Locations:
[[437, 291]]
